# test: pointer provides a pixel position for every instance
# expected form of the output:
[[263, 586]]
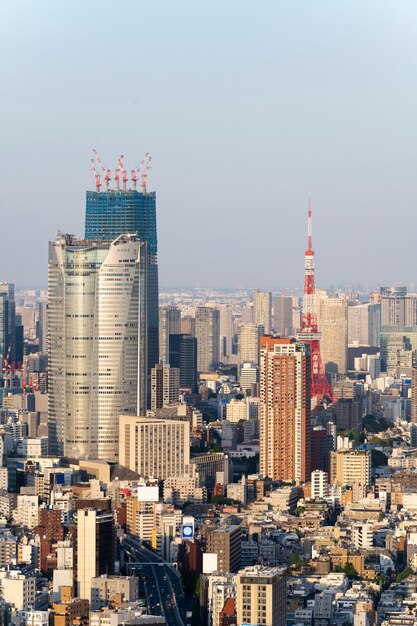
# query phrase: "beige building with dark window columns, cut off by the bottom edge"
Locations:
[[262, 596]]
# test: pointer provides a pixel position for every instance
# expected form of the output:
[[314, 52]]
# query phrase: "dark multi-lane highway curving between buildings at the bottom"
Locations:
[[161, 582]]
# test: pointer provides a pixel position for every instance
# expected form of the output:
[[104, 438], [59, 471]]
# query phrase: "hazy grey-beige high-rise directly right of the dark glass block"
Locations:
[[207, 331]]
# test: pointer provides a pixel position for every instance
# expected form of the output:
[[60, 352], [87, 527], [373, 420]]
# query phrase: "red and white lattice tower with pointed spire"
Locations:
[[320, 387]]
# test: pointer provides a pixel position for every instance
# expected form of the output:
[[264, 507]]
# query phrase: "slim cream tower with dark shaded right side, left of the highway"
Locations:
[[95, 548]]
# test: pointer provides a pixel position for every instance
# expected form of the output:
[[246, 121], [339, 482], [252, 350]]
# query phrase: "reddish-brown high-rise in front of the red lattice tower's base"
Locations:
[[285, 394]]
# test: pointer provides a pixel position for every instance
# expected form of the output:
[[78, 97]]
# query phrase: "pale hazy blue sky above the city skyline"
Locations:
[[248, 109]]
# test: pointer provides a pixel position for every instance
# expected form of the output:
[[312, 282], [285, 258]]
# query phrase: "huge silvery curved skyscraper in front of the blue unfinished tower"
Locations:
[[97, 333]]
